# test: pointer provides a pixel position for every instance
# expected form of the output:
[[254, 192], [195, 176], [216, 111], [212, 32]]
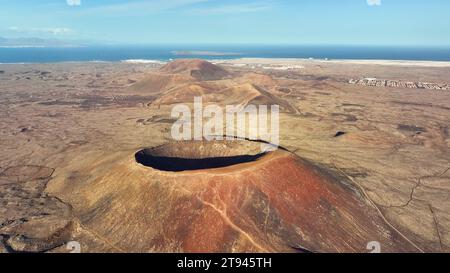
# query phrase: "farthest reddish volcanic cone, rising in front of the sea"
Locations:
[[198, 69]]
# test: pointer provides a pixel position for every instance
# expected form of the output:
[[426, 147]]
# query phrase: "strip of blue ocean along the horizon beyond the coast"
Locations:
[[168, 52]]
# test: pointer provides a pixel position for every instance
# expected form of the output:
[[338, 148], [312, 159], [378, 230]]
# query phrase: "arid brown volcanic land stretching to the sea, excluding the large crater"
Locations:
[[366, 158]]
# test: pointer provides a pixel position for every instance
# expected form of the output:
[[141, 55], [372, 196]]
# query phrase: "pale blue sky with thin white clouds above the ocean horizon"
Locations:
[[350, 22]]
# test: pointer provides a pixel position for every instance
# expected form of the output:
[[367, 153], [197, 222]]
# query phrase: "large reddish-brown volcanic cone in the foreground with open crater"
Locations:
[[223, 196]]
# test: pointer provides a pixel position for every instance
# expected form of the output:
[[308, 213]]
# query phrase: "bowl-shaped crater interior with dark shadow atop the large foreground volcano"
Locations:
[[199, 155]]
